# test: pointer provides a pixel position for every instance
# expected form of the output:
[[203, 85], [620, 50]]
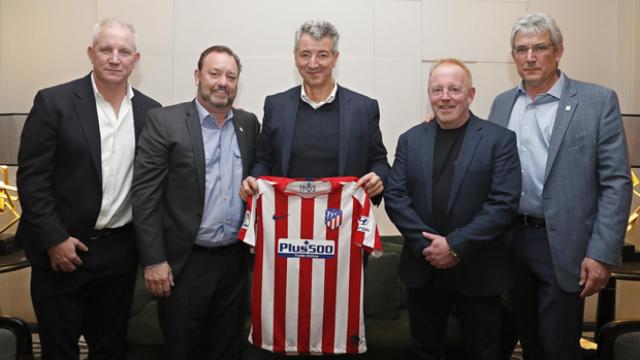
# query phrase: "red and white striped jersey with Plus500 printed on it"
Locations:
[[307, 289]]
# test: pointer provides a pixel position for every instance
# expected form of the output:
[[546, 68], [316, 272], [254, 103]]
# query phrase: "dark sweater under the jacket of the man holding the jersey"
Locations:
[[316, 141]]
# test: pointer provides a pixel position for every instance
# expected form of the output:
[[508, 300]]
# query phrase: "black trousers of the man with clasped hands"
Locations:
[[431, 306]]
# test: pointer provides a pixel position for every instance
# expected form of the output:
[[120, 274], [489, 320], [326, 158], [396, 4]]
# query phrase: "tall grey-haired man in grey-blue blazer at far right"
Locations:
[[576, 190]]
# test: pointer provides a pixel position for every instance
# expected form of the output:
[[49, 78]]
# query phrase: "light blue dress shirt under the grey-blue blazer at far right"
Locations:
[[532, 121]]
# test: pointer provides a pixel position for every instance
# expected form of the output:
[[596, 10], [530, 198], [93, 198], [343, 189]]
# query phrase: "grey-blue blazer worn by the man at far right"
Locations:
[[587, 185]]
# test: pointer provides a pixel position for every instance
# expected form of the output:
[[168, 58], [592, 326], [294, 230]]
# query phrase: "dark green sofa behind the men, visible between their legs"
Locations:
[[385, 309]]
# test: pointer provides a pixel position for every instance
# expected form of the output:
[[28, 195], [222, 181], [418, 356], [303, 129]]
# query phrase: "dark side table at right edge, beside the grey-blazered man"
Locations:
[[607, 299]]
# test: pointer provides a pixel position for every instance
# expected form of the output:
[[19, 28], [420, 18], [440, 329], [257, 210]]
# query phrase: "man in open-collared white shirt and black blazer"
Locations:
[[74, 177]]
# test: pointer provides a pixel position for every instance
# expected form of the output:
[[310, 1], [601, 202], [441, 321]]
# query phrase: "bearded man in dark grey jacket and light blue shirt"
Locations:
[[190, 162]]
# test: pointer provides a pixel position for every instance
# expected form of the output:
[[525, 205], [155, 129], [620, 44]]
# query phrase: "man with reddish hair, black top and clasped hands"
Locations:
[[452, 192]]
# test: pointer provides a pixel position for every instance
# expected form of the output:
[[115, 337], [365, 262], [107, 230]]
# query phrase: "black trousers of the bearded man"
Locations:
[[204, 316]]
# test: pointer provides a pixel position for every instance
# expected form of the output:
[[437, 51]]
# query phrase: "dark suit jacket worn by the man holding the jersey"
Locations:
[[361, 147]]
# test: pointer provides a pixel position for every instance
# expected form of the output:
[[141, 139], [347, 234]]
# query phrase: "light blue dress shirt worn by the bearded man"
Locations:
[[223, 208]]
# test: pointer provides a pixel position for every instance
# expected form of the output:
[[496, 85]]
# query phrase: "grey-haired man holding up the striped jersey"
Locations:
[[320, 129]]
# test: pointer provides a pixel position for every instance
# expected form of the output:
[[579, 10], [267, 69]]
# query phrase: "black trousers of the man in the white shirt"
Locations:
[[93, 301]]
